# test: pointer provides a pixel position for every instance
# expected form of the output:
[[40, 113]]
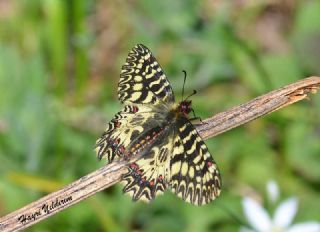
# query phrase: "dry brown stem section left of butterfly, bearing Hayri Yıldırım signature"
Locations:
[[57, 201]]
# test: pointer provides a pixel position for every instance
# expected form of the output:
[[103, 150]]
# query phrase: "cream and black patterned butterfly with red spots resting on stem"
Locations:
[[154, 134]]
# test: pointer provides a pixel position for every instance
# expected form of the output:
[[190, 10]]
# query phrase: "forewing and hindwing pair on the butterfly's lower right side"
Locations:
[[179, 160]]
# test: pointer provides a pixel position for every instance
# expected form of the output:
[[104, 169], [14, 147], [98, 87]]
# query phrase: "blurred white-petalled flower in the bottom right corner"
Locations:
[[261, 221]]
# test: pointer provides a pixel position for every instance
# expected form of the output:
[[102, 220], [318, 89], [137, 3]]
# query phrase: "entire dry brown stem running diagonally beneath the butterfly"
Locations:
[[111, 174]]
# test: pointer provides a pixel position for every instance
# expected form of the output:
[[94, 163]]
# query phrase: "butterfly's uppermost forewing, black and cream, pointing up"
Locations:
[[142, 80]]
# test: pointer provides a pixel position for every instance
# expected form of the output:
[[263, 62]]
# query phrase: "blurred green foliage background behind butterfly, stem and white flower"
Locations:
[[59, 66]]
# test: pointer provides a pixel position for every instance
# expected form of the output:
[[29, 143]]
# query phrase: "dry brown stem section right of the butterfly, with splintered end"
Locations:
[[258, 107]]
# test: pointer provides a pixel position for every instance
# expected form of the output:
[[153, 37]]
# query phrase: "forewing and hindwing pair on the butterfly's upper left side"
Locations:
[[147, 93]]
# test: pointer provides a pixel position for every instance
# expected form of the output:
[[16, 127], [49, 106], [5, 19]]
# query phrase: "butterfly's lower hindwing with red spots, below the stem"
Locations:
[[149, 175]]
